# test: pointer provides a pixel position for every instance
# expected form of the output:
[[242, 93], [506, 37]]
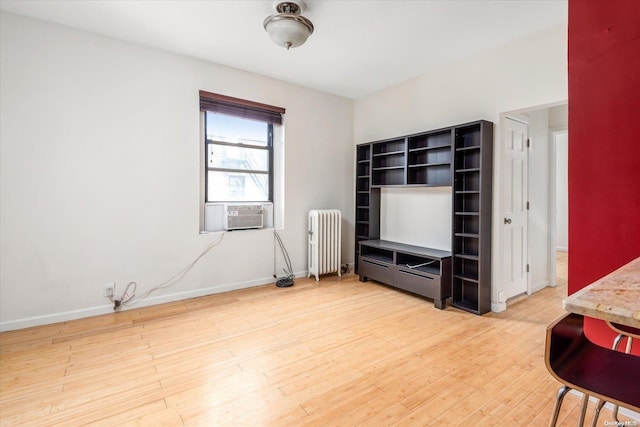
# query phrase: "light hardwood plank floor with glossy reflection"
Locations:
[[338, 352]]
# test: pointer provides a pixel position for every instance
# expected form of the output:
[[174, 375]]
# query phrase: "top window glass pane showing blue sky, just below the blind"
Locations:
[[236, 130]]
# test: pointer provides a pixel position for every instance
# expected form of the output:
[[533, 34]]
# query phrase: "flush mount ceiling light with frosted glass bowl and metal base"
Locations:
[[288, 28]]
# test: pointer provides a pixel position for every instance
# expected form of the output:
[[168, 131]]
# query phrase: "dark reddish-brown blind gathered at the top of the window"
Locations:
[[240, 107]]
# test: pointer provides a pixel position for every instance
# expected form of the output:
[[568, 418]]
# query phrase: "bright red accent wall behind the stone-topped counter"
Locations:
[[604, 143]]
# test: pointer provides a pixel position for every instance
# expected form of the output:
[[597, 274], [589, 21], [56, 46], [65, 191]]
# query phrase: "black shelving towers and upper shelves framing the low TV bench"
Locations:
[[459, 157]]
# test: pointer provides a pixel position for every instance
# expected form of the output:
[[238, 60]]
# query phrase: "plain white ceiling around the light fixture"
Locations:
[[358, 47]]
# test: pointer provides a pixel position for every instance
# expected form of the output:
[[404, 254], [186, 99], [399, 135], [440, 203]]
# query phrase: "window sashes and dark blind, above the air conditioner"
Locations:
[[238, 148]]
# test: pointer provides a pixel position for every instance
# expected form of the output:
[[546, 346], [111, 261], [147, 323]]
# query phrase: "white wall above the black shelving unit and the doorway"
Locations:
[[528, 72]]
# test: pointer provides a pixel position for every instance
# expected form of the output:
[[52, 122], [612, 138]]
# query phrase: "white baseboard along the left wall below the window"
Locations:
[[65, 316]]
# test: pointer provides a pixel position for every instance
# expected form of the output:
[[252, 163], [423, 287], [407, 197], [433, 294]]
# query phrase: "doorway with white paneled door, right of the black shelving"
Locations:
[[544, 192]]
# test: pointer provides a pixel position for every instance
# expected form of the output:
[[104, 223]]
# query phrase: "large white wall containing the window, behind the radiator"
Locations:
[[100, 167]]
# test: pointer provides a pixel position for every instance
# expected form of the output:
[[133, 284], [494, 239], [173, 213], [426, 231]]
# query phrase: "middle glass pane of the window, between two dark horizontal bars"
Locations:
[[230, 157]]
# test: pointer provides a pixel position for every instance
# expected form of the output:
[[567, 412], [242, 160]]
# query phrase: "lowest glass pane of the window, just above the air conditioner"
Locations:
[[236, 187]]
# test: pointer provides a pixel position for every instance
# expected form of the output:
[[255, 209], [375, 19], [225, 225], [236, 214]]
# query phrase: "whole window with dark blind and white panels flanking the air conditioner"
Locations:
[[242, 158]]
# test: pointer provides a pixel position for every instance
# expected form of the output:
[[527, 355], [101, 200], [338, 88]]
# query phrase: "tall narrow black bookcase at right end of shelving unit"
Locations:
[[472, 200]]
